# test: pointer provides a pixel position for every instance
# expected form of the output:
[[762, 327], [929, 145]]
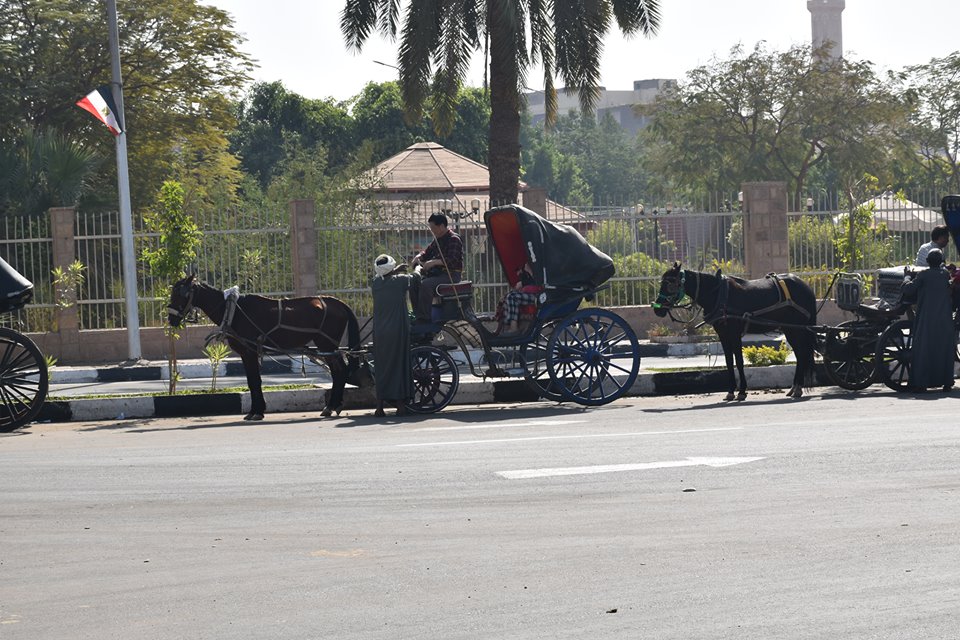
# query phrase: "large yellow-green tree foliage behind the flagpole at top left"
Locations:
[[181, 64]]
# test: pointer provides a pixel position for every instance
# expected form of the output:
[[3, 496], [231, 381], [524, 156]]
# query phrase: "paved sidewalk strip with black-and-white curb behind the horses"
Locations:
[[664, 369]]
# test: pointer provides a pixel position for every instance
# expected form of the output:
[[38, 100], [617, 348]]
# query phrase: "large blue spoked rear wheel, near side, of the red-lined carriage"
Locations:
[[593, 357]]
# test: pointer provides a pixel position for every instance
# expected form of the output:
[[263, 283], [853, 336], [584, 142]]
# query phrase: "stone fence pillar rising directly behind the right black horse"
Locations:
[[765, 228]]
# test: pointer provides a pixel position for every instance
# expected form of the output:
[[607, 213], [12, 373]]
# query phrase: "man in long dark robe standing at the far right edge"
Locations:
[[933, 341]]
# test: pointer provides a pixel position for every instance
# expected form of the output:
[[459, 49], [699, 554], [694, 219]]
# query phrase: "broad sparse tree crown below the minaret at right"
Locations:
[[773, 116]]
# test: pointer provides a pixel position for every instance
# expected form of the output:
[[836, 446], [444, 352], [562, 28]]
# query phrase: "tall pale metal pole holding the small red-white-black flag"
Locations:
[[123, 188]]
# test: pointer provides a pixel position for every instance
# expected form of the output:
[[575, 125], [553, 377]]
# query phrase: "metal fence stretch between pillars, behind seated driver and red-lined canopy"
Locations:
[[642, 242]]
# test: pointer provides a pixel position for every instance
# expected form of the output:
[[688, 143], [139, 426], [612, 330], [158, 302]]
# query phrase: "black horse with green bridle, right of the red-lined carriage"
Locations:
[[729, 304]]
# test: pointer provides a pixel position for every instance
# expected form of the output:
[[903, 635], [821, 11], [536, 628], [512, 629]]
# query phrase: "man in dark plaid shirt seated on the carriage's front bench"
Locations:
[[442, 263]]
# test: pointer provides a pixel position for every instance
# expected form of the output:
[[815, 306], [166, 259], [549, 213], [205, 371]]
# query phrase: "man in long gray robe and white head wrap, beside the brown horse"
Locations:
[[391, 333]]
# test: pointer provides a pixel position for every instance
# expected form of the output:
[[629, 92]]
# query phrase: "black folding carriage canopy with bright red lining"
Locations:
[[561, 258]]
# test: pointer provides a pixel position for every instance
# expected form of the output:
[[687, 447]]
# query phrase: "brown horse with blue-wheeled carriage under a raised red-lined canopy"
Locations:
[[589, 356]]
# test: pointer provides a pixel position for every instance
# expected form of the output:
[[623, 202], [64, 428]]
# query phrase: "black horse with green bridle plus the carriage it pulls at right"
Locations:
[[873, 347]]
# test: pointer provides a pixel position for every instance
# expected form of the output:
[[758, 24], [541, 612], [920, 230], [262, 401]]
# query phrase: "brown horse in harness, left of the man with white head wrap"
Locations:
[[261, 324]]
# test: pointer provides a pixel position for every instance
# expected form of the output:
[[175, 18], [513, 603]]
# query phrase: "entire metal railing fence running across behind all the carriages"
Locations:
[[252, 249]]
